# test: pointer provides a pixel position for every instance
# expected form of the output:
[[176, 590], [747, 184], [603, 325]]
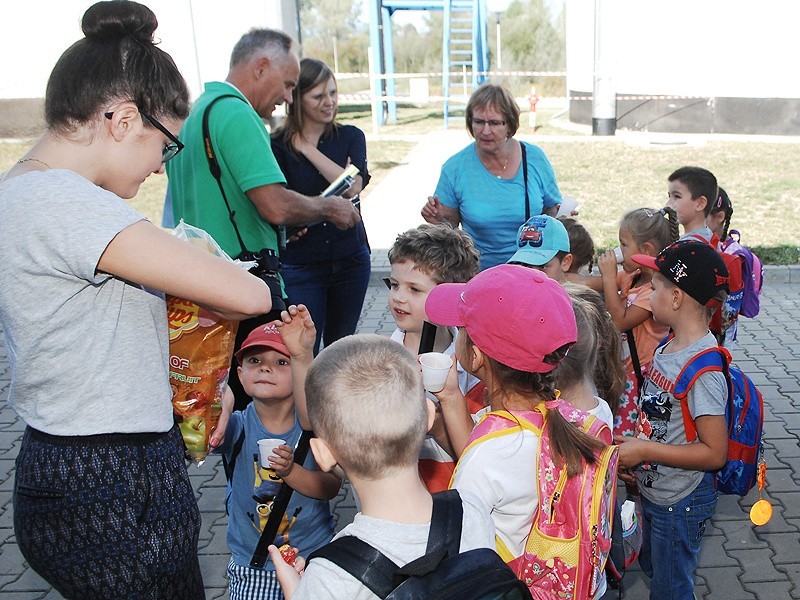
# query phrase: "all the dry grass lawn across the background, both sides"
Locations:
[[608, 177]]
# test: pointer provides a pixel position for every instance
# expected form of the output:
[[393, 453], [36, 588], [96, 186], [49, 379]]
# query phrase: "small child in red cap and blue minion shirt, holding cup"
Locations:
[[266, 374]]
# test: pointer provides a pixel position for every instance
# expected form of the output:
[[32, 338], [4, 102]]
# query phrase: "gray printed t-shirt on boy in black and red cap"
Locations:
[[661, 419]]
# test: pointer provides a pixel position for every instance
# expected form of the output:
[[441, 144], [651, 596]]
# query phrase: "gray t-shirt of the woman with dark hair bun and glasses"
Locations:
[[88, 352]]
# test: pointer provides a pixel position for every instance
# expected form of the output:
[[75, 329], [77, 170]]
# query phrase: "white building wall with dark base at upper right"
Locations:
[[725, 65]]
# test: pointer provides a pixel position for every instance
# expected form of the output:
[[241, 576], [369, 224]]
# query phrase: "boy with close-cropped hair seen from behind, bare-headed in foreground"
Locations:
[[365, 401]]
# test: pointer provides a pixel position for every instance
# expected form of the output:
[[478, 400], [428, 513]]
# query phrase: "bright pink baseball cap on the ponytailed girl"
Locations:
[[514, 314]]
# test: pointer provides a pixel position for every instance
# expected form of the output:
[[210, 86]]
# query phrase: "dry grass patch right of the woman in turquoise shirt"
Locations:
[[612, 177]]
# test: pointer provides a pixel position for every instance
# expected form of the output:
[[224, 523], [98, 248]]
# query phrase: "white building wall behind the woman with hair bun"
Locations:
[[38, 31]]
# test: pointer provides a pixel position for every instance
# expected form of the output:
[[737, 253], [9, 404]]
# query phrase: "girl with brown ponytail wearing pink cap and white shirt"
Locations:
[[515, 325]]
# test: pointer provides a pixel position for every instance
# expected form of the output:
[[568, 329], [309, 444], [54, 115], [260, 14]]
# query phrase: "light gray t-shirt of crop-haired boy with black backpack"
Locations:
[[400, 542]]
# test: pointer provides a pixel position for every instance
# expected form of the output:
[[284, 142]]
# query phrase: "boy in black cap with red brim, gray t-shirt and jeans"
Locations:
[[678, 495]]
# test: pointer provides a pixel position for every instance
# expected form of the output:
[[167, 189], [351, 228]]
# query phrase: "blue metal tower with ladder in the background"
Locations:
[[465, 51]]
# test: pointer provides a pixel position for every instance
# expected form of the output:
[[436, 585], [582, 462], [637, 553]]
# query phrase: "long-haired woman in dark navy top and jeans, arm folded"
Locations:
[[326, 269]]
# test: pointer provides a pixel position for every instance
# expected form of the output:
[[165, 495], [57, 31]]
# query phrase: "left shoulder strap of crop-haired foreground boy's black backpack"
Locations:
[[364, 562]]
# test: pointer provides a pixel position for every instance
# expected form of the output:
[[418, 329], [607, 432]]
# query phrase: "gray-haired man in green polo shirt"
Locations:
[[264, 70]]
